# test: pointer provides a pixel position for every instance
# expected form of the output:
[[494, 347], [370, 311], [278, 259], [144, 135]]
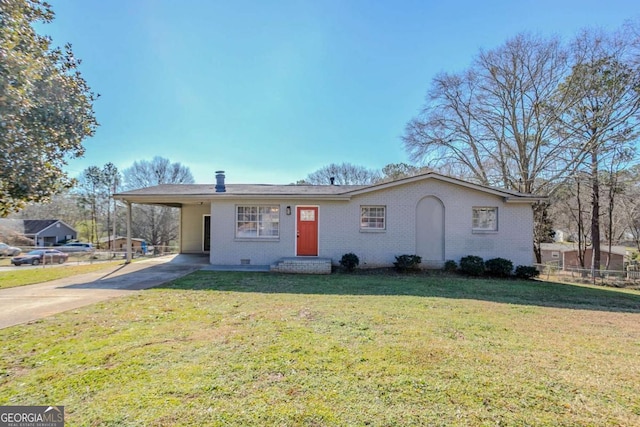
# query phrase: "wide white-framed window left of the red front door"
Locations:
[[258, 222]]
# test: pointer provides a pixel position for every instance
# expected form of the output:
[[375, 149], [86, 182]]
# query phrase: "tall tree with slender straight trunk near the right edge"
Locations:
[[602, 119]]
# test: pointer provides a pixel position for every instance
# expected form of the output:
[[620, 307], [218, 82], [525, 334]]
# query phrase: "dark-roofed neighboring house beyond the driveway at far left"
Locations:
[[43, 232]]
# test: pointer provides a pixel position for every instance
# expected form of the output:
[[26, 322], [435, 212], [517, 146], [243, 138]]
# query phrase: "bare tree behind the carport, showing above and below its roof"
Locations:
[[158, 225]]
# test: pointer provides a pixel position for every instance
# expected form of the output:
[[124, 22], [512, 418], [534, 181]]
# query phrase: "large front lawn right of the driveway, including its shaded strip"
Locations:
[[252, 349]]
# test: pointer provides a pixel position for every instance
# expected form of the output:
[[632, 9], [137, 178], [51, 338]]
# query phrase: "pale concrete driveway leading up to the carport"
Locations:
[[28, 303]]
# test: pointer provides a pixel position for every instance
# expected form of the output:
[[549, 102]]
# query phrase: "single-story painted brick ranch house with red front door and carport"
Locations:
[[431, 215]]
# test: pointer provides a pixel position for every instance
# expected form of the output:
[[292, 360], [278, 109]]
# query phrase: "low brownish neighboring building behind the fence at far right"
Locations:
[[566, 257]]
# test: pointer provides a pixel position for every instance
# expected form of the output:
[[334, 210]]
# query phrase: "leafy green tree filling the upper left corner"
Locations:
[[45, 104]]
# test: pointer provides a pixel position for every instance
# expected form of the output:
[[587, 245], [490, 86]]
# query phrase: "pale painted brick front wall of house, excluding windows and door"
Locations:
[[339, 227]]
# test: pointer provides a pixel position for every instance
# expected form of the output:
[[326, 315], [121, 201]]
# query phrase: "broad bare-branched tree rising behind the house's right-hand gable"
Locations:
[[493, 120]]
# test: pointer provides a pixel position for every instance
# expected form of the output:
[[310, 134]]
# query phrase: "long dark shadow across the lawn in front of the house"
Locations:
[[434, 285]]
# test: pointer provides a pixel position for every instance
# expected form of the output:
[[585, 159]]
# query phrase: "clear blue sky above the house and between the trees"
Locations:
[[270, 91]]
